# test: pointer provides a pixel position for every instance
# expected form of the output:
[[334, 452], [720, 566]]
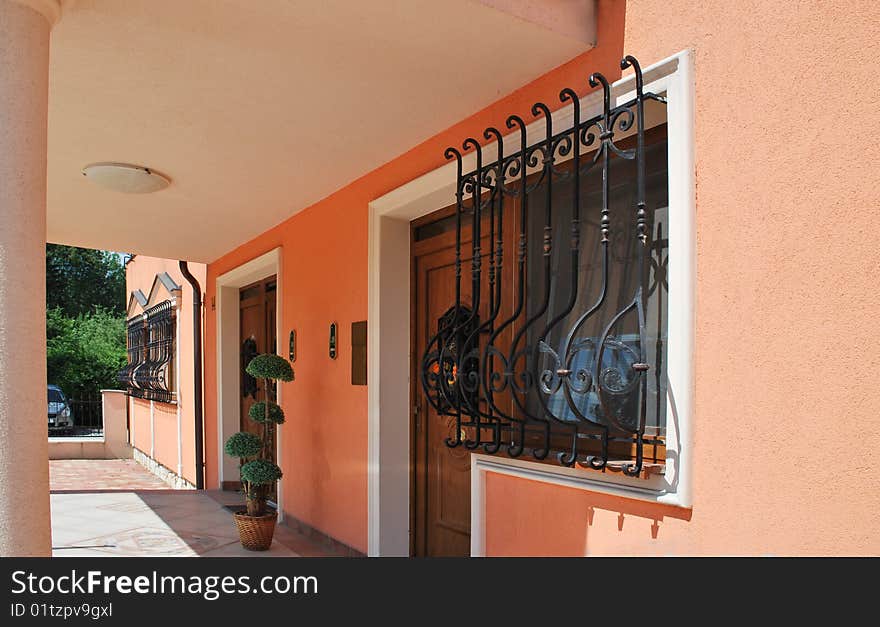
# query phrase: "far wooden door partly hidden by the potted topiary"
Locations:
[[257, 331]]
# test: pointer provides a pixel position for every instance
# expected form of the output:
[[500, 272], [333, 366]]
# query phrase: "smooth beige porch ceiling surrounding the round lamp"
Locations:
[[258, 108]]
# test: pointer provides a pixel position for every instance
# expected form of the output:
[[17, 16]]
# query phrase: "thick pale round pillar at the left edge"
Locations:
[[25, 525]]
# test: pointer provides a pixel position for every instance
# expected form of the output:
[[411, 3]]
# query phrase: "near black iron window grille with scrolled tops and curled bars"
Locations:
[[532, 366]]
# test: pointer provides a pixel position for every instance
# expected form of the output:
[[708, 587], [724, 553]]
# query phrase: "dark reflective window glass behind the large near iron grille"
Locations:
[[571, 340]]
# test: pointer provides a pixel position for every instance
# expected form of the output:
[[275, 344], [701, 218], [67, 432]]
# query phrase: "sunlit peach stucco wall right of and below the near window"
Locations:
[[786, 350]]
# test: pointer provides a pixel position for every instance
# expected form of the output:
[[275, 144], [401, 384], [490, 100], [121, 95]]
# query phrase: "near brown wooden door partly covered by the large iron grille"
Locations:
[[440, 516]]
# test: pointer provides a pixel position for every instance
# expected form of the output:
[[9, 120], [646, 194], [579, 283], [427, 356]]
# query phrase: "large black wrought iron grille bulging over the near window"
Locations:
[[516, 390]]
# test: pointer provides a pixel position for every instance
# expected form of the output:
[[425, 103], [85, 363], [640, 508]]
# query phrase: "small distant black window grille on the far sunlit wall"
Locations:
[[150, 343]]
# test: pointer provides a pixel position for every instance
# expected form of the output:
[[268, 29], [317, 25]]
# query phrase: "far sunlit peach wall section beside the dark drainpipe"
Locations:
[[140, 274]]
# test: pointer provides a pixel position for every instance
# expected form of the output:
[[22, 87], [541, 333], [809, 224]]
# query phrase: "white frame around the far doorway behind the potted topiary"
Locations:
[[228, 355]]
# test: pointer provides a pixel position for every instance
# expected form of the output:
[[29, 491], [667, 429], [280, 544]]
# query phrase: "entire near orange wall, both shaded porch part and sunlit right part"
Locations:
[[786, 357]]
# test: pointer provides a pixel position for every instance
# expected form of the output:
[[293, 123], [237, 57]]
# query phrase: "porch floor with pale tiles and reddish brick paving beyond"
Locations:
[[108, 508]]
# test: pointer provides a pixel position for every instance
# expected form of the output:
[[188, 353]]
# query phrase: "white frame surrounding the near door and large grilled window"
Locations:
[[389, 355]]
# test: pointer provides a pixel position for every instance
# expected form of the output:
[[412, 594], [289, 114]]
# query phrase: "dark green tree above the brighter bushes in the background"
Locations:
[[80, 279]]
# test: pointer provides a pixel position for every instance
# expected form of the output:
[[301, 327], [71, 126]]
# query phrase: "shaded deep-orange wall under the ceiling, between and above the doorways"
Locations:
[[325, 279]]
